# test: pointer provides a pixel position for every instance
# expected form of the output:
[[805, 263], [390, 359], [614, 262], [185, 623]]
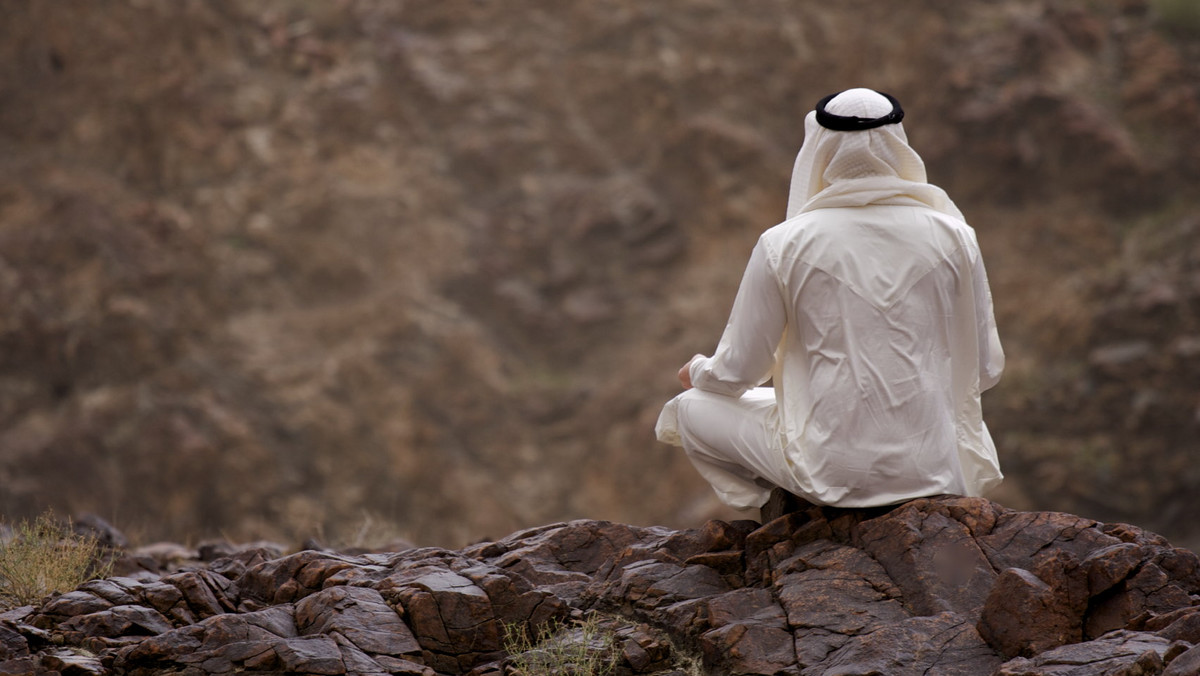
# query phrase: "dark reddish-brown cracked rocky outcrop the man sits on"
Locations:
[[949, 585]]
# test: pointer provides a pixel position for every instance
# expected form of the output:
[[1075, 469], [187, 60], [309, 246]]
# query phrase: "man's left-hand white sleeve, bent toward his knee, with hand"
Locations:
[[747, 352]]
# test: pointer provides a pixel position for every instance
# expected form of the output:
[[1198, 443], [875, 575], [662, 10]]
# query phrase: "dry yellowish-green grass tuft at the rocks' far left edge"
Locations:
[[45, 557]]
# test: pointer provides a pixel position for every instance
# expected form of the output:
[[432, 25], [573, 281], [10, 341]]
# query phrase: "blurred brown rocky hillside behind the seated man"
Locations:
[[305, 270]]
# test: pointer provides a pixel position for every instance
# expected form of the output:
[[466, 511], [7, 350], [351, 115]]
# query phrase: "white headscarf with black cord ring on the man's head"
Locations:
[[865, 159]]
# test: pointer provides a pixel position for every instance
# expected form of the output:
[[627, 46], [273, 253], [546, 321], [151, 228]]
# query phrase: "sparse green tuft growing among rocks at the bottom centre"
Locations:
[[569, 649]]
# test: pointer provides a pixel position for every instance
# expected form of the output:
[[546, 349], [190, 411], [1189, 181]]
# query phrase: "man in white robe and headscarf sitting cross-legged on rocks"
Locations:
[[869, 308]]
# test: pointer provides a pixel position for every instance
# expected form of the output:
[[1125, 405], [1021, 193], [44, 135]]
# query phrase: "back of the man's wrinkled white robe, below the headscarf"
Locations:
[[881, 314]]
